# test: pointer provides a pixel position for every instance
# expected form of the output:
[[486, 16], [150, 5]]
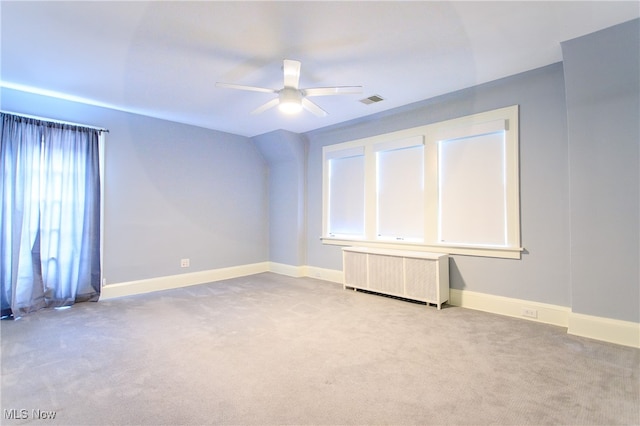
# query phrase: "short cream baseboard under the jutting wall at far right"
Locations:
[[625, 333]]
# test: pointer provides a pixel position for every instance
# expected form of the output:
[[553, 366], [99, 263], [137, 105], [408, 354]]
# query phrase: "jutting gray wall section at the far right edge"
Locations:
[[602, 73]]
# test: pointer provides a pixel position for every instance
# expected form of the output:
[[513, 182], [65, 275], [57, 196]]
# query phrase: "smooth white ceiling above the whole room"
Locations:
[[163, 58]]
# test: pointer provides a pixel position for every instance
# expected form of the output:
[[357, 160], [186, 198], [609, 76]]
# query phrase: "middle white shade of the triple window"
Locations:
[[400, 193]]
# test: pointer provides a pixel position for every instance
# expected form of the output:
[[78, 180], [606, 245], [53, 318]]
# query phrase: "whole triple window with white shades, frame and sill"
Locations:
[[448, 187]]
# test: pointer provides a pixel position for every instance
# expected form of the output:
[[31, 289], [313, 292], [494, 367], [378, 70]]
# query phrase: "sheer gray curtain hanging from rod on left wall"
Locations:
[[49, 214]]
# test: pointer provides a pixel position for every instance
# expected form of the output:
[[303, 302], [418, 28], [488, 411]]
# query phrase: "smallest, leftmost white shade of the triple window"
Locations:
[[346, 196]]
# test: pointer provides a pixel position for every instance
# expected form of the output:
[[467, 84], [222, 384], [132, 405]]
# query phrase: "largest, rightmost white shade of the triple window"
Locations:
[[472, 190]]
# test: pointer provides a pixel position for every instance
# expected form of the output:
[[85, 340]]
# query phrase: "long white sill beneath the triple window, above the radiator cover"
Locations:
[[482, 251]]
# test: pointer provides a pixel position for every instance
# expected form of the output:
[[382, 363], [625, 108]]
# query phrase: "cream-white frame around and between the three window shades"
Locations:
[[506, 118]]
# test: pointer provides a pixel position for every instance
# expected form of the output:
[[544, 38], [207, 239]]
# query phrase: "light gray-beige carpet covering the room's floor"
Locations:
[[269, 349]]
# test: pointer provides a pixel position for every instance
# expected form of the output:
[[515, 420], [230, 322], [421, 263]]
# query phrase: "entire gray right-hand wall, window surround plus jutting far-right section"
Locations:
[[579, 177]]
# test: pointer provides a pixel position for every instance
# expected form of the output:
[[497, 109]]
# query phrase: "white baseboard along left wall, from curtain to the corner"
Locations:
[[129, 288]]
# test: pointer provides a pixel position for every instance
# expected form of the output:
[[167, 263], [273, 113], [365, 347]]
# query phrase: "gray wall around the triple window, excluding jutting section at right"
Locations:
[[543, 273]]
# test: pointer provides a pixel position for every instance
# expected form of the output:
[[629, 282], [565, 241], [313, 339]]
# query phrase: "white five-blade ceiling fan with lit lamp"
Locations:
[[291, 98]]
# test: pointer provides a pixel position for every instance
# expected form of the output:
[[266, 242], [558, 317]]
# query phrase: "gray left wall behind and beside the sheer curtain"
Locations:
[[172, 191]]
